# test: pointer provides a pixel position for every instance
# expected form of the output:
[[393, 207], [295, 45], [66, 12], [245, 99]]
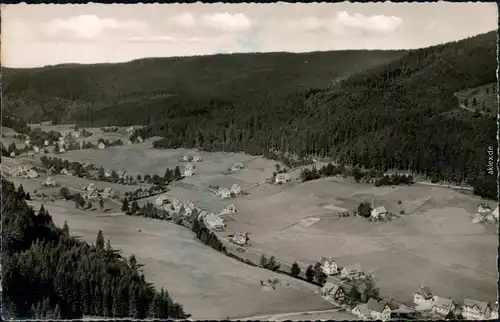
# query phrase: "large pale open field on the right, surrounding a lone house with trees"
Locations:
[[437, 245]]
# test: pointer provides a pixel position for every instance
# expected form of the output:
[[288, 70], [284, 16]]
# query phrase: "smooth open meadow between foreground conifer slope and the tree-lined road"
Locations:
[[208, 284]]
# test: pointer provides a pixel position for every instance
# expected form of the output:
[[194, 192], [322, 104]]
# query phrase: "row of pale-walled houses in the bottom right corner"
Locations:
[[438, 306]]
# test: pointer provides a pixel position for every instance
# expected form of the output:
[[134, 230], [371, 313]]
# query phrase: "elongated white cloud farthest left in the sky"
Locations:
[[88, 27]]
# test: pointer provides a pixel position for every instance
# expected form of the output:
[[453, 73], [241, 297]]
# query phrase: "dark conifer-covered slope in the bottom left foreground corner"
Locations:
[[47, 274]]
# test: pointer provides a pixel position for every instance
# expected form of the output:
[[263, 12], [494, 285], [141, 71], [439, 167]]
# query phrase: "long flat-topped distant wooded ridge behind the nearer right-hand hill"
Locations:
[[60, 91]]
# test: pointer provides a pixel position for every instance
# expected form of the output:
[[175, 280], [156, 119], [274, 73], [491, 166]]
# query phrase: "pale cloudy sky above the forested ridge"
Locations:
[[39, 35]]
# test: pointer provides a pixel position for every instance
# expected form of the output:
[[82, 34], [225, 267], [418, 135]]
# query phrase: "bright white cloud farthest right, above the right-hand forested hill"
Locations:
[[377, 24]]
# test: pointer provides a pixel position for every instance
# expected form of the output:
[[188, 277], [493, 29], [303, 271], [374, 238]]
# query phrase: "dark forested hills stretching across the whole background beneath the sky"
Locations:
[[372, 109]]
